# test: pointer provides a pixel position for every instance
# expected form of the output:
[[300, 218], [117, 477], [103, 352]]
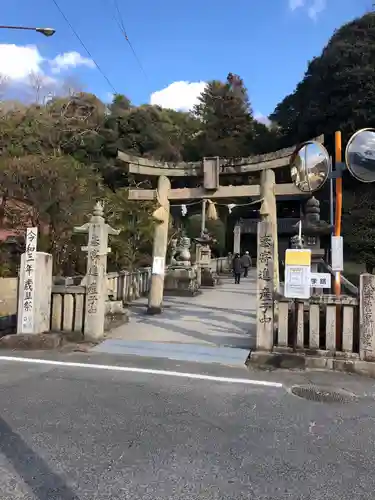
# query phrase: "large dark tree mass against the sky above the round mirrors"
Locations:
[[338, 89]]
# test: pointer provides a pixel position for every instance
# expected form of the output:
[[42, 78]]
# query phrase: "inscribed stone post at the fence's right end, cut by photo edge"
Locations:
[[367, 317]]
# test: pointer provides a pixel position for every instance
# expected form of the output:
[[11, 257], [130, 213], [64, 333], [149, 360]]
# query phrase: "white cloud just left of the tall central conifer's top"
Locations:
[[180, 96]]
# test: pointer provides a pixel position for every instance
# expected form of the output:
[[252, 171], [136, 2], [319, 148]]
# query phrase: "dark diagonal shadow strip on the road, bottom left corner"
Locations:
[[32, 469]]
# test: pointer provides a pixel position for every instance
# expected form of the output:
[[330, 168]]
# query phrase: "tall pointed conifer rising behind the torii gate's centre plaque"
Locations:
[[227, 122]]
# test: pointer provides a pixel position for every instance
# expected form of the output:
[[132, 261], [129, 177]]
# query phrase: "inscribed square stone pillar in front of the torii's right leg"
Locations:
[[265, 287]]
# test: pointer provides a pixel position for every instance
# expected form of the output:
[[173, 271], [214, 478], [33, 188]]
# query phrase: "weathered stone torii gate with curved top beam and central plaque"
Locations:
[[210, 170]]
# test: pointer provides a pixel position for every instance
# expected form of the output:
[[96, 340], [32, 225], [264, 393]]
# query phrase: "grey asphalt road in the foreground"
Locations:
[[69, 432]]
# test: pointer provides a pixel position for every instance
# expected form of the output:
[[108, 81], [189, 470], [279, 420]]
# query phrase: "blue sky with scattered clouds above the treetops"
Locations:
[[267, 42]]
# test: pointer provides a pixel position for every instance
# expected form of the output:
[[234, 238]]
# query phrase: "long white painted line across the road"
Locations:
[[150, 371]]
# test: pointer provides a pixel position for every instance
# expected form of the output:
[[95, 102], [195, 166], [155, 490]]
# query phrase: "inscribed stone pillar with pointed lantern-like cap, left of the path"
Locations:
[[96, 274]]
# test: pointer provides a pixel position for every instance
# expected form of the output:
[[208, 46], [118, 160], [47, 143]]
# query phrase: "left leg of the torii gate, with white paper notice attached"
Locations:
[[159, 250]]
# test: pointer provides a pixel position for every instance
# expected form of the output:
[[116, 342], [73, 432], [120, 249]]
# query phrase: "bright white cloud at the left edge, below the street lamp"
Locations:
[[17, 62]]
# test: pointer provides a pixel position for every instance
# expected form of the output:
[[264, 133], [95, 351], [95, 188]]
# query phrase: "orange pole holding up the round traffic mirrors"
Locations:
[[338, 215]]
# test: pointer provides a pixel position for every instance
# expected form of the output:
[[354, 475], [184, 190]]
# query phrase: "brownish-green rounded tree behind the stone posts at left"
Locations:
[[52, 193]]
